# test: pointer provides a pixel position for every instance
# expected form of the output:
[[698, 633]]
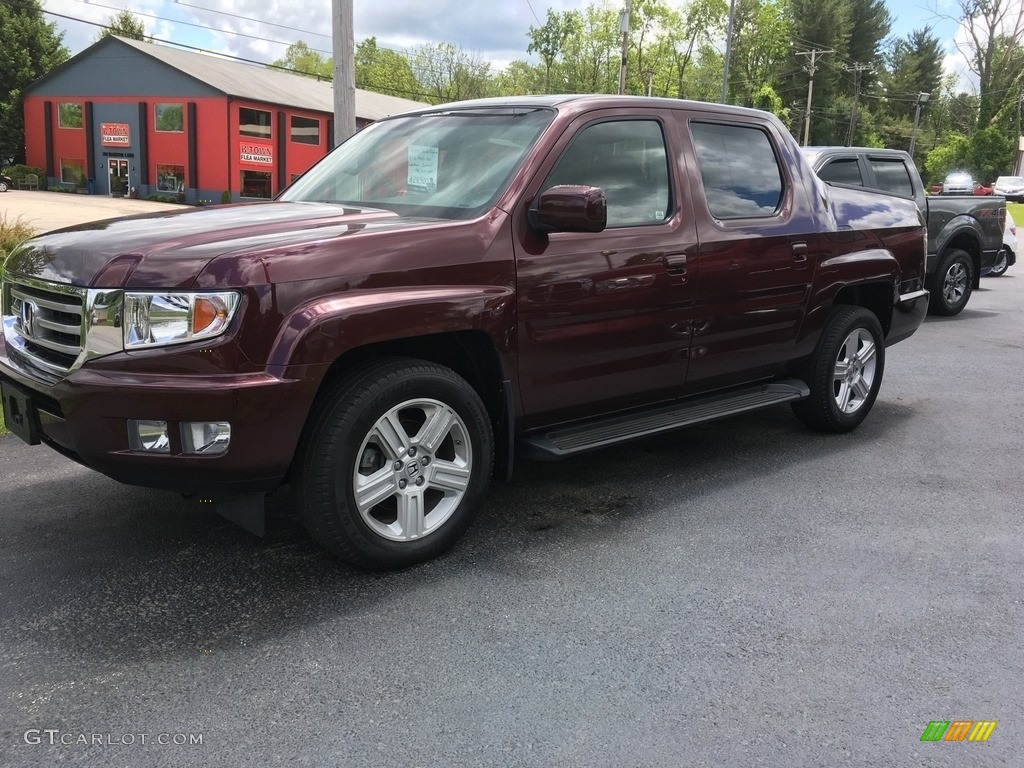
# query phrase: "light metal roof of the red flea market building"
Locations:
[[271, 87]]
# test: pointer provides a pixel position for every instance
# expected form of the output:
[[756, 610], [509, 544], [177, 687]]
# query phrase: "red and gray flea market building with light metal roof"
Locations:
[[130, 115]]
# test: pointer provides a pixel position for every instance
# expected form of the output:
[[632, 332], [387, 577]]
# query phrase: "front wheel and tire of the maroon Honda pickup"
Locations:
[[395, 464]]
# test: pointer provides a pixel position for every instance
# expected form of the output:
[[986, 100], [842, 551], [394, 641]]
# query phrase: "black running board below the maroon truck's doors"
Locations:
[[622, 428]]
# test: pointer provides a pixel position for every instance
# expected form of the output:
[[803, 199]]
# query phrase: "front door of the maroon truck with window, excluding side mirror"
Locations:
[[604, 319]]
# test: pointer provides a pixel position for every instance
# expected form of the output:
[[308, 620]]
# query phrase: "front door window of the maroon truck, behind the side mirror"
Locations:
[[627, 159]]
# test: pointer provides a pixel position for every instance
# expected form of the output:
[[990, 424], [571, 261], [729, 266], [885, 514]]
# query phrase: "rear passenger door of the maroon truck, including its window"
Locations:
[[759, 242]]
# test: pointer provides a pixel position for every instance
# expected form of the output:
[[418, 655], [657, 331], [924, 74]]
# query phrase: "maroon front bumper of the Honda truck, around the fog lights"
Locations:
[[84, 416]]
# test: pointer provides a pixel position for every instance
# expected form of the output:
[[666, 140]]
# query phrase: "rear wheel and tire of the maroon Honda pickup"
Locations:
[[845, 372]]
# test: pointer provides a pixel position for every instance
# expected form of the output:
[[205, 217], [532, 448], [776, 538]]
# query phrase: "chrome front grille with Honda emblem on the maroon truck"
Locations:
[[48, 320]]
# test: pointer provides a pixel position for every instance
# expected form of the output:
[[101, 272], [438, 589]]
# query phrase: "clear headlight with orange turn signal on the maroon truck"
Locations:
[[158, 319]]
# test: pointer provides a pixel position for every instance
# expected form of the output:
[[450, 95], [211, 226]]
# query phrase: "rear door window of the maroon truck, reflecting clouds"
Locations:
[[741, 174]]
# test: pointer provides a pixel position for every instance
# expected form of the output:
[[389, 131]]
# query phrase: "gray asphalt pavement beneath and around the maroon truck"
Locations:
[[745, 593]]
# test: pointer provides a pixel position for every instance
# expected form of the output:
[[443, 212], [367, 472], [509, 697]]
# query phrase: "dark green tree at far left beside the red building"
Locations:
[[29, 49]]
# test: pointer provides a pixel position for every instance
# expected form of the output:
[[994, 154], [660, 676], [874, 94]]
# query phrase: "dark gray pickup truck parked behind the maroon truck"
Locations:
[[965, 233]]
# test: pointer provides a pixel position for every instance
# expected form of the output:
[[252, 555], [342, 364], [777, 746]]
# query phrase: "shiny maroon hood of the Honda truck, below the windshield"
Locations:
[[169, 250]]
